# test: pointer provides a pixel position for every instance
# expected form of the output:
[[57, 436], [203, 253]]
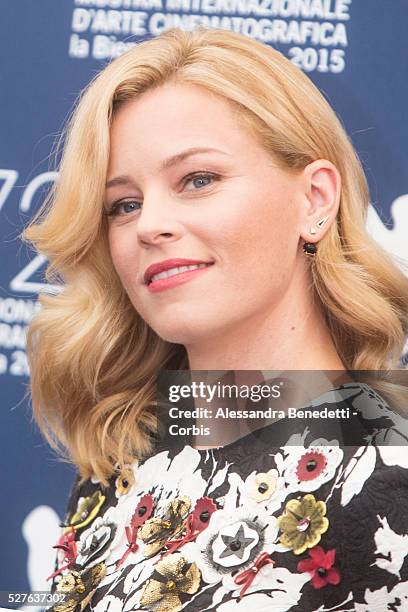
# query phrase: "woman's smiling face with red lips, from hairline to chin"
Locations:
[[188, 182]]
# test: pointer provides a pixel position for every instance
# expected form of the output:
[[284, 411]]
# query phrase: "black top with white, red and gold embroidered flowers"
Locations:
[[279, 520]]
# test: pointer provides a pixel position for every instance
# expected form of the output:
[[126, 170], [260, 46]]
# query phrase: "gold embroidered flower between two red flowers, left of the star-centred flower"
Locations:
[[155, 532]]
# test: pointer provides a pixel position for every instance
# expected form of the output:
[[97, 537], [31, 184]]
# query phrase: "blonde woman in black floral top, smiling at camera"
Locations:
[[210, 215]]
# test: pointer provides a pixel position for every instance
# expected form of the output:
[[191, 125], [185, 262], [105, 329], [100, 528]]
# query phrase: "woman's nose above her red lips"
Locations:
[[157, 221]]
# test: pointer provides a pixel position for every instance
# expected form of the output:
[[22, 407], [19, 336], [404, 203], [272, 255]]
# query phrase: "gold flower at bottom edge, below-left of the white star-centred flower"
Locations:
[[173, 575]]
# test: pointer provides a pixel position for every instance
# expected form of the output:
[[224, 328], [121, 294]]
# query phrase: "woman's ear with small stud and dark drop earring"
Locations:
[[322, 187]]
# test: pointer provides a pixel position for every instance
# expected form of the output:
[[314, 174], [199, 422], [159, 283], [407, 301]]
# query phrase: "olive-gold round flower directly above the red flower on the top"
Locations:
[[302, 523]]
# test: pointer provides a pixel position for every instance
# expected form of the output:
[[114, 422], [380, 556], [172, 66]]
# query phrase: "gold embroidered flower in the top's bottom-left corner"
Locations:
[[78, 588]]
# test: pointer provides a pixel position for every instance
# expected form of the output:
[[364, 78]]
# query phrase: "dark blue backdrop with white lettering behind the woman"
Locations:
[[356, 51]]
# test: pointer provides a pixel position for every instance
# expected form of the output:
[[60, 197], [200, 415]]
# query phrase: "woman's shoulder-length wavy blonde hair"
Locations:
[[93, 360]]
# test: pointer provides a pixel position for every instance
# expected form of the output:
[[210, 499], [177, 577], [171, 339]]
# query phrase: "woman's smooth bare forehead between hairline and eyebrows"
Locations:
[[175, 116]]
